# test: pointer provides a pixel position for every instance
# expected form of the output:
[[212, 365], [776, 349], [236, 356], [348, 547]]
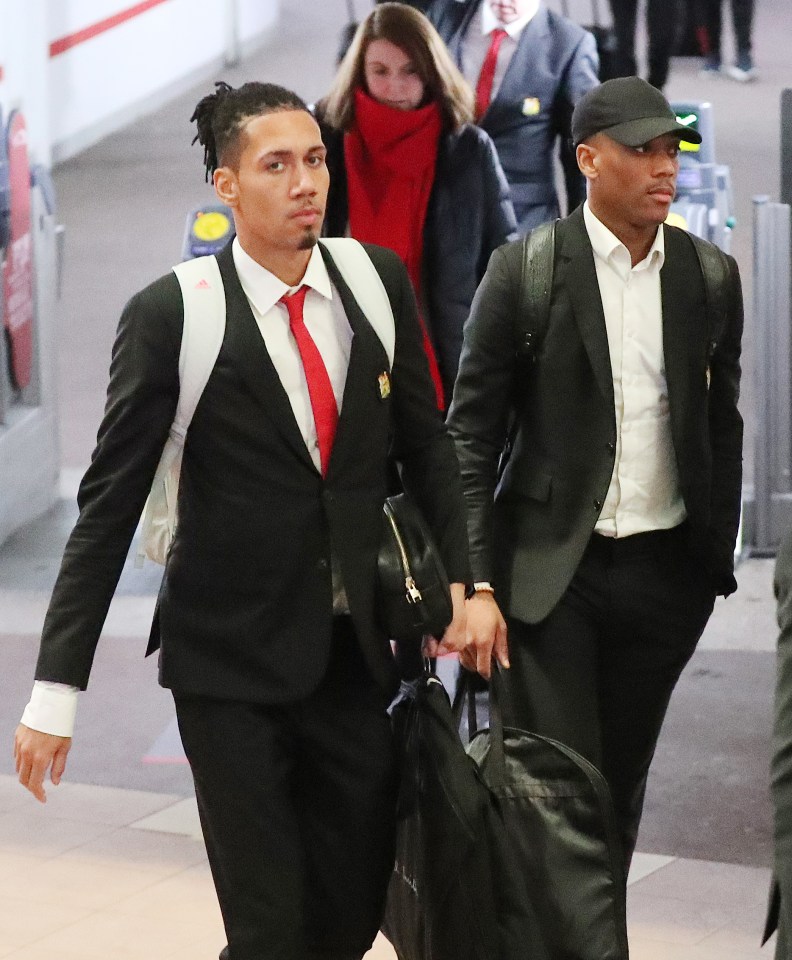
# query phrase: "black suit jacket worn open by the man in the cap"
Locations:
[[528, 529]]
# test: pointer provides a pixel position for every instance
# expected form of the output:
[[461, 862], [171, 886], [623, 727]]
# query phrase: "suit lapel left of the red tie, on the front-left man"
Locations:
[[252, 361]]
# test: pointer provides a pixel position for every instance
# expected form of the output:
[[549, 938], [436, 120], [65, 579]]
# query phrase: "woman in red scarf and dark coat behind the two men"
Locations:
[[410, 172]]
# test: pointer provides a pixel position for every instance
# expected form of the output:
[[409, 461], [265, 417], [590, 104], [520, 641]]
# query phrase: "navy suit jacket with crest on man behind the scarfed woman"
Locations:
[[555, 63]]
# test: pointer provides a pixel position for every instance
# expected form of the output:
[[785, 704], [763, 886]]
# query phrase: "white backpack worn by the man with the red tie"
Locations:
[[202, 337]]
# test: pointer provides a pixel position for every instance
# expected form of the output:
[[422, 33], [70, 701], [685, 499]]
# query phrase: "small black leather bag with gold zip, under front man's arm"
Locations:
[[414, 595]]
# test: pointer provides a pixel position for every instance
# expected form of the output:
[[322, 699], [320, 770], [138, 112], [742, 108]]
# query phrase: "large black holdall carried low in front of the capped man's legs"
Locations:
[[556, 851]]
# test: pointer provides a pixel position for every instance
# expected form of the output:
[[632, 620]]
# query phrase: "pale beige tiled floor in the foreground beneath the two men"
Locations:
[[121, 874]]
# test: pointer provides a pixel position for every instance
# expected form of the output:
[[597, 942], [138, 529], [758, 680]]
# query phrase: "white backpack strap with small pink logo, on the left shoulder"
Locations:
[[202, 335]]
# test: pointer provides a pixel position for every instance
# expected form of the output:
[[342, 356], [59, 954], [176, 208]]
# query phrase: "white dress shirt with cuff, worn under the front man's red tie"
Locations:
[[53, 706]]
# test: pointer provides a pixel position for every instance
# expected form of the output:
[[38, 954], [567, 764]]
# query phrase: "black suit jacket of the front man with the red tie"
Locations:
[[245, 607]]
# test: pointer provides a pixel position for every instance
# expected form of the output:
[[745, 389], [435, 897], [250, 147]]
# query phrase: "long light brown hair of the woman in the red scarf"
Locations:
[[408, 29]]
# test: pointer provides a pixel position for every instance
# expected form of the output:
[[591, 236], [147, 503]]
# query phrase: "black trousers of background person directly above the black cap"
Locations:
[[661, 22]]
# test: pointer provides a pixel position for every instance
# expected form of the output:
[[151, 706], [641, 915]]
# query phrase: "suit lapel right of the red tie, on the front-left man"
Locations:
[[367, 360]]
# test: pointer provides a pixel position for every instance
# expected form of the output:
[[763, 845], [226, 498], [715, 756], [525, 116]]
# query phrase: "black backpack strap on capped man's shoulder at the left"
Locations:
[[536, 287]]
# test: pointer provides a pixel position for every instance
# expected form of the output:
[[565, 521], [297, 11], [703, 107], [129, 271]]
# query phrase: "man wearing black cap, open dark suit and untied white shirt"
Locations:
[[598, 549]]
